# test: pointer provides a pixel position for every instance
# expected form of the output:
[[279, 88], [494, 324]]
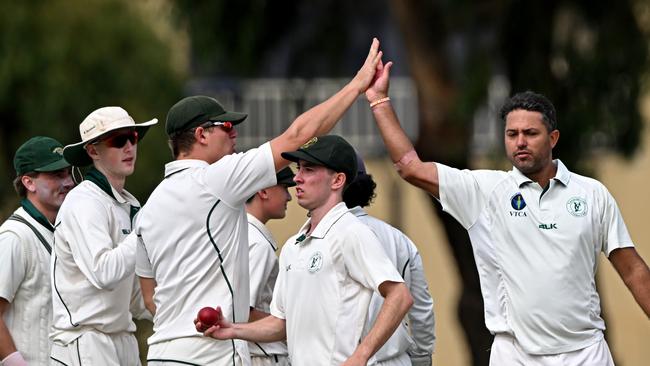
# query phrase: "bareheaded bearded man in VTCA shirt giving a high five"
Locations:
[[536, 232]]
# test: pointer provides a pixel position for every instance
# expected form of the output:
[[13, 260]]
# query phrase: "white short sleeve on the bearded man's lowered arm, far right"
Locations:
[[615, 234]]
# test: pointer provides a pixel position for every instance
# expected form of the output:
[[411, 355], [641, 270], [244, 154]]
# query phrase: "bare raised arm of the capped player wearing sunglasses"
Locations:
[[321, 119]]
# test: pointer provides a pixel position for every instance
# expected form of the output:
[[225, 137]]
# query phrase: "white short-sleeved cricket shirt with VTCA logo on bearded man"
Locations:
[[537, 252]]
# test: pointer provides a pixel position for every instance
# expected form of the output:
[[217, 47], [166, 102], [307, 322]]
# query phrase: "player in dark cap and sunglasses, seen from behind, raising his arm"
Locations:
[[192, 233]]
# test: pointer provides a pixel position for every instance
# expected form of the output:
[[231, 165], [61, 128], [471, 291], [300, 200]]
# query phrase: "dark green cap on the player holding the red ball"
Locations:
[[330, 151]]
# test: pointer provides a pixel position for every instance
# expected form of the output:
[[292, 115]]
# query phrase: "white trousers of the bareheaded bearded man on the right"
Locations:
[[506, 351]]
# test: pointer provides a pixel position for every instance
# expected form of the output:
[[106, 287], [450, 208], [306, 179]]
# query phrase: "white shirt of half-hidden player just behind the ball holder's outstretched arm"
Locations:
[[263, 267]]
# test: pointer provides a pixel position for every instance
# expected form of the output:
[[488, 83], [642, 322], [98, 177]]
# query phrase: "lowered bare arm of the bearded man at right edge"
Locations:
[[635, 273]]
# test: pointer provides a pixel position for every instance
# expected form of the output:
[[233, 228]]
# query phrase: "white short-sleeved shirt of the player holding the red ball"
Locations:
[[324, 287]]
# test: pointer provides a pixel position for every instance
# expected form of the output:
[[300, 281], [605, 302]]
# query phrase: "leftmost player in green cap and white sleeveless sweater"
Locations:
[[42, 181]]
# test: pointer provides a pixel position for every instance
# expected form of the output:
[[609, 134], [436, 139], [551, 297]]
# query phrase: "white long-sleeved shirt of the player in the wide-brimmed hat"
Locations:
[[93, 264]]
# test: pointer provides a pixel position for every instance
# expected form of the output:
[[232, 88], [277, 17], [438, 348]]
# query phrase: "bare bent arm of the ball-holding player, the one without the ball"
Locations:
[[397, 301]]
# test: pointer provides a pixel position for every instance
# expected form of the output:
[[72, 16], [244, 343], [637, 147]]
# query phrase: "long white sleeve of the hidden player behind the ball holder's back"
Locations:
[[421, 315]]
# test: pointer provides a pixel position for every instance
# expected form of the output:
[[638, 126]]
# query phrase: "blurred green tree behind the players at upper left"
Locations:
[[60, 60]]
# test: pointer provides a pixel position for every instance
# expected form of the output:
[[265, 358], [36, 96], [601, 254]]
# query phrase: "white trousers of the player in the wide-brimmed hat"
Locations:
[[97, 349]]
